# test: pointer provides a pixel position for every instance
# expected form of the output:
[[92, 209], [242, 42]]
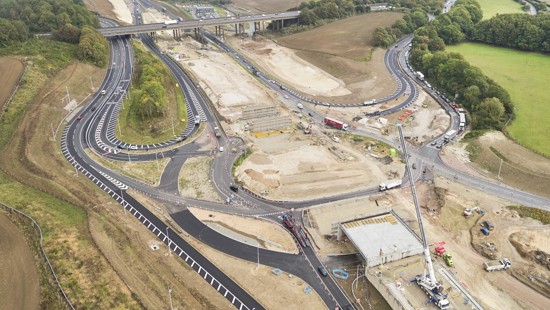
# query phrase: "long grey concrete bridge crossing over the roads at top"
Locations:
[[239, 21]]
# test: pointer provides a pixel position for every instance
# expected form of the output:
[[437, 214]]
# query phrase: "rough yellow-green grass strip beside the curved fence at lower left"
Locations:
[[69, 246]]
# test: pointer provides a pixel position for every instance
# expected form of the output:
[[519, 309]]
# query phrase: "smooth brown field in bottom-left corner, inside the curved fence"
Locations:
[[19, 288]]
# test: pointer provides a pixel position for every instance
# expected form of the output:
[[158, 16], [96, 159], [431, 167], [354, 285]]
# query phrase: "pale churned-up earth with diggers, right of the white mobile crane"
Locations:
[[462, 236]]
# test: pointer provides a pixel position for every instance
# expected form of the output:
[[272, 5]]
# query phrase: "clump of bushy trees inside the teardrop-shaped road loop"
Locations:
[[150, 97]]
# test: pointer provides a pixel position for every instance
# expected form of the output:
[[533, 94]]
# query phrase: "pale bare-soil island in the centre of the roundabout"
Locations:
[[292, 167]]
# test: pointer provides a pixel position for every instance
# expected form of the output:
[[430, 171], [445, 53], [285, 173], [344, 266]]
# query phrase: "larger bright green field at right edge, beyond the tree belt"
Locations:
[[526, 76]]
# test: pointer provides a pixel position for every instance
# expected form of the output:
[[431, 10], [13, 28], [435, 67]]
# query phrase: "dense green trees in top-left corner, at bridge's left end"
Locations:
[[67, 20]]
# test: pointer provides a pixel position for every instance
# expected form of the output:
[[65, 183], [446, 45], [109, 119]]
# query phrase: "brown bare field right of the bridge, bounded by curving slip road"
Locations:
[[345, 50]]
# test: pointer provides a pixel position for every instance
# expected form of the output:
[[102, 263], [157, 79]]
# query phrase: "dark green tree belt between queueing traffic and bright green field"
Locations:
[[488, 103]]
